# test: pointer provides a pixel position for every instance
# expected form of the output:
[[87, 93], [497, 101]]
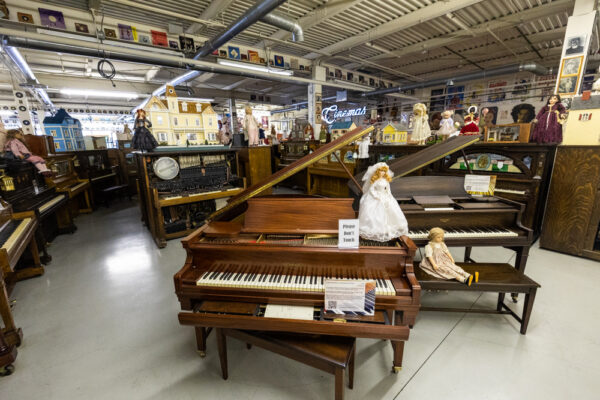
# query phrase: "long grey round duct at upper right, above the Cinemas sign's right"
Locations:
[[509, 69]]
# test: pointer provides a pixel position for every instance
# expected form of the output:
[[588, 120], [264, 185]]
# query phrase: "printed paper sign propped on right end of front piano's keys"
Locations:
[[350, 297]]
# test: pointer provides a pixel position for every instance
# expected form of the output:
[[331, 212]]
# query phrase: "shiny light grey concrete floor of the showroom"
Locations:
[[102, 324]]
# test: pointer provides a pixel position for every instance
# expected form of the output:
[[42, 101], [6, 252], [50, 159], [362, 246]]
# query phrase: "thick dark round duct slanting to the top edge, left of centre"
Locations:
[[252, 15]]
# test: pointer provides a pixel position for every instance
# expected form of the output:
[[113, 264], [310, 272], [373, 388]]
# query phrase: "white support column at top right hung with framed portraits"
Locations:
[[575, 48]]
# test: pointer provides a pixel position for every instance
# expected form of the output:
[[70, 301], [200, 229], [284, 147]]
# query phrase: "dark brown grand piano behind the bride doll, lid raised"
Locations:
[[430, 201]]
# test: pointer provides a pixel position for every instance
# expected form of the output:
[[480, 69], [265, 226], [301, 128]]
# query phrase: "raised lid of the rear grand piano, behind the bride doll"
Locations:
[[413, 162]]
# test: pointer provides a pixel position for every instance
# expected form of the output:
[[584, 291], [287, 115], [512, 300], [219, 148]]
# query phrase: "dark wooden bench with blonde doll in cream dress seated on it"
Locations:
[[493, 277]]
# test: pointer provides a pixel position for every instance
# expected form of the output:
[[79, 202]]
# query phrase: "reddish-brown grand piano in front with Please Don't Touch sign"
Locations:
[[279, 252]]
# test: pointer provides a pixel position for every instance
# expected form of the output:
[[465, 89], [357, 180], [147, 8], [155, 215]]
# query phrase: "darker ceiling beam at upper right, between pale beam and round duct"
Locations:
[[503, 22]]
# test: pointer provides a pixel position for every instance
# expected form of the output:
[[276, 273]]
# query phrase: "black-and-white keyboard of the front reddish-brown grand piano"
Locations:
[[305, 279]]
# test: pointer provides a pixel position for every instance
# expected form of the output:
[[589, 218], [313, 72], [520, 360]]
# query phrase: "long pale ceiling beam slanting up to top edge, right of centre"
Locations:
[[434, 10]]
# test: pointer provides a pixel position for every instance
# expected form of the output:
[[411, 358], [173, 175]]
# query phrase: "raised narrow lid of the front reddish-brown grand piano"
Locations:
[[290, 170]]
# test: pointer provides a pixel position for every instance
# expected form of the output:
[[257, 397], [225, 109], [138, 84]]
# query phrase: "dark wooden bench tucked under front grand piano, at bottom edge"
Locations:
[[332, 354]]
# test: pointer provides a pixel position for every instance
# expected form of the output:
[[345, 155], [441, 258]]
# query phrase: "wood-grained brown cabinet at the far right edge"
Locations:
[[572, 215]]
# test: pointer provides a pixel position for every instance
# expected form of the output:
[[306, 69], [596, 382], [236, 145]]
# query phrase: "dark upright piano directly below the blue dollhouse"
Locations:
[[65, 180]]
